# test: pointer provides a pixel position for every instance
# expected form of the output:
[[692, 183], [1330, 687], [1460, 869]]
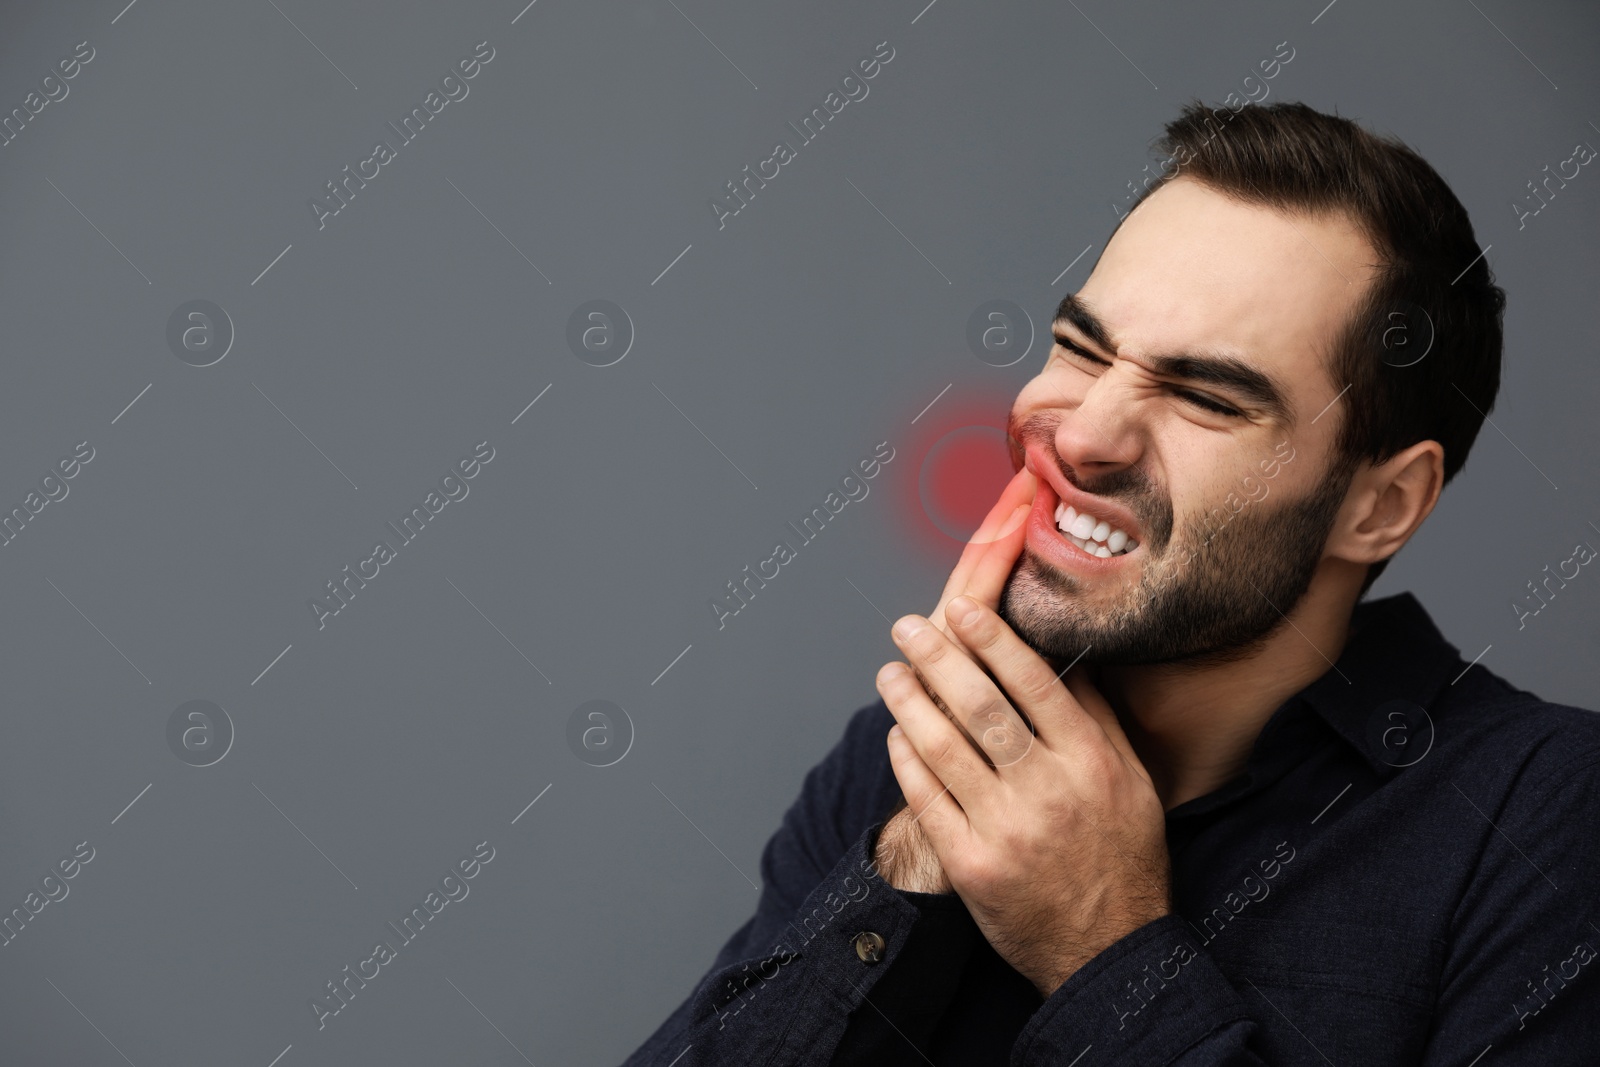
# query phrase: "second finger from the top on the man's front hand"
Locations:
[[975, 701]]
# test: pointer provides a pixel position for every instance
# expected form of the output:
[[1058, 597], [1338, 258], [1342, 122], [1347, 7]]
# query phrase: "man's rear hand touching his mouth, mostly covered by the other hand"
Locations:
[[905, 857]]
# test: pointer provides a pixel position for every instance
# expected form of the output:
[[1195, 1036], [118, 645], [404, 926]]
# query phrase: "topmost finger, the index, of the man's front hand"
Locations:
[[1028, 679]]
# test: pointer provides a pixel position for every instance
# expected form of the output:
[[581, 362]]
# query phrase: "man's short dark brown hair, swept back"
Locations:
[[1422, 353]]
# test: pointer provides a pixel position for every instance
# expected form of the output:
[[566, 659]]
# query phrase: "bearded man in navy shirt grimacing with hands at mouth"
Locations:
[[1159, 789]]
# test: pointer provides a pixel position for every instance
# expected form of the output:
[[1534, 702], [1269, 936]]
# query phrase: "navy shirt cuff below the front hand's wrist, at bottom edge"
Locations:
[[1143, 1001]]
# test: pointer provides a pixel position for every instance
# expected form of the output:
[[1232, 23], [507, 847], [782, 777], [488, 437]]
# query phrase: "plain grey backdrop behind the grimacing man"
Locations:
[[417, 724]]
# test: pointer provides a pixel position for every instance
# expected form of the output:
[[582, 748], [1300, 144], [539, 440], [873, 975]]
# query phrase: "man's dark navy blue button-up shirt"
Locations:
[[1406, 873]]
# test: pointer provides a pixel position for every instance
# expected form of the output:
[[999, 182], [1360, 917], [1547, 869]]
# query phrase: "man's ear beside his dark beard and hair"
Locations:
[[1388, 503]]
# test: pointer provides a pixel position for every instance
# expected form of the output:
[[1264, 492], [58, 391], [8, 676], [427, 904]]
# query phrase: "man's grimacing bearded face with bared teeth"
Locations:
[[1199, 426]]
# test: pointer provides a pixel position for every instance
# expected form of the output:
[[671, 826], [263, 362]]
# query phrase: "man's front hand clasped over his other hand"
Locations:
[[1055, 842]]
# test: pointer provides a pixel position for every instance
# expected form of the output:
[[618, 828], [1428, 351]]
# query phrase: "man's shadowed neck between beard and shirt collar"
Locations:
[[1194, 725]]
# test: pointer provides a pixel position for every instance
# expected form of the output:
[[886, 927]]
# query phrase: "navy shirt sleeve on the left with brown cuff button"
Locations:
[[826, 932]]
